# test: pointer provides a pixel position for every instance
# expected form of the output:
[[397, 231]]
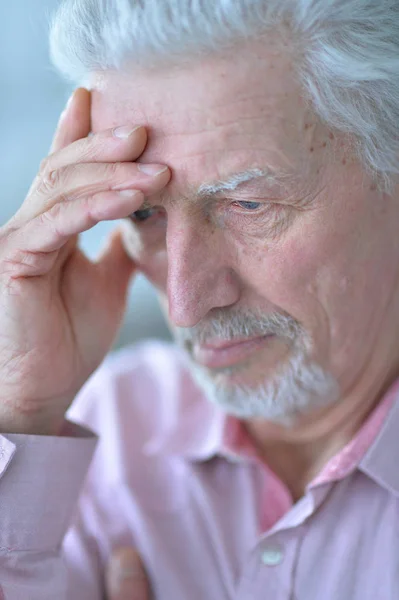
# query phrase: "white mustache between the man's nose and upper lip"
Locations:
[[244, 324]]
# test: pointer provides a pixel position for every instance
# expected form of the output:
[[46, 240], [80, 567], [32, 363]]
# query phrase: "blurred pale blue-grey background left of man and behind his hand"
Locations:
[[32, 96]]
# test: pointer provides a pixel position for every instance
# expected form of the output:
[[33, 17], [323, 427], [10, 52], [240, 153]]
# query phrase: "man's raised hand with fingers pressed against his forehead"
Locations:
[[60, 312]]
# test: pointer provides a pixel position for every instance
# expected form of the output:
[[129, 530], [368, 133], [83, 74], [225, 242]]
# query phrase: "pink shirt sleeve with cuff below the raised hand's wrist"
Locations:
[[40, 481]]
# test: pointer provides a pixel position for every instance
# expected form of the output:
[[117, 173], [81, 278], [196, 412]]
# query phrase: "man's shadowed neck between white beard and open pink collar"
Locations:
[[297, 454]]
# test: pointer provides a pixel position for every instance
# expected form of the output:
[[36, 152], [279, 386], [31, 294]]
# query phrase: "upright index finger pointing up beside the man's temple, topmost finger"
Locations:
[[75, 121]]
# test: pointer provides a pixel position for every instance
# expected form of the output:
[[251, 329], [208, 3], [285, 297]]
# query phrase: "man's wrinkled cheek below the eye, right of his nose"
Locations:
[[320, 282]]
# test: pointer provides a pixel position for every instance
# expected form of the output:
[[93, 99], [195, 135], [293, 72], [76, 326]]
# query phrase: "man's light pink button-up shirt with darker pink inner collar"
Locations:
[[177, 479]]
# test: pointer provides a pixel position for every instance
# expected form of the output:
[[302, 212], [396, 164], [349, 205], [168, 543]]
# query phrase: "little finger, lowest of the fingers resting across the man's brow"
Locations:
[[31, 250]]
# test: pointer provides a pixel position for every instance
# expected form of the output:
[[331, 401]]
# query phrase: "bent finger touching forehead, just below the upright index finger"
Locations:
[[119, 144]]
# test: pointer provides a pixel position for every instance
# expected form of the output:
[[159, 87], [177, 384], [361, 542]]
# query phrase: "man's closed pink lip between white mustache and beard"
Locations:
[[223, 353]]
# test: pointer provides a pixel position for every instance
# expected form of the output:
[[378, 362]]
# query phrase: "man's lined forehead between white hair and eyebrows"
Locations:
[[216, 116]]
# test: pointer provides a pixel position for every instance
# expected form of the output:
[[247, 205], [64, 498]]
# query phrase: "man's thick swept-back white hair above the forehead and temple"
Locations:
[[346, 54]]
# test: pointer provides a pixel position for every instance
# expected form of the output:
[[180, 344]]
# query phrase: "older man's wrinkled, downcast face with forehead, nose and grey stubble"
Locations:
[[307, 267]]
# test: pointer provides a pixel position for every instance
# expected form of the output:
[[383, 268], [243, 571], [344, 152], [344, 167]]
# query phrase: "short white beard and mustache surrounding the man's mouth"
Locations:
[[297, 387]]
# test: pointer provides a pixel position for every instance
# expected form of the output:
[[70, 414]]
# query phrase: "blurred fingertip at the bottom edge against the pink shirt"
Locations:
[[126, 578]]
